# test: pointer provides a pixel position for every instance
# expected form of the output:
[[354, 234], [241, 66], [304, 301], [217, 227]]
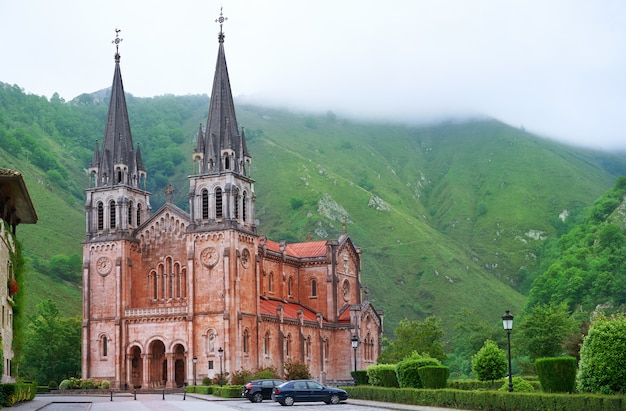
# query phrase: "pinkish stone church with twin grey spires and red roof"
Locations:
[[173, 296]]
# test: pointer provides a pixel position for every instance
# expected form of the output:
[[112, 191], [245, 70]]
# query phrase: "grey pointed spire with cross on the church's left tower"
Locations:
[[118, 163]]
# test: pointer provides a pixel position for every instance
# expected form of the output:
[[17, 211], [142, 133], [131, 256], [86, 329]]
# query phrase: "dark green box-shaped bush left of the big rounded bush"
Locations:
[[557, 374]]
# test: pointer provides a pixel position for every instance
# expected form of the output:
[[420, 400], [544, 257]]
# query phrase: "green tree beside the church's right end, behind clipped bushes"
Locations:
[[414, 336]]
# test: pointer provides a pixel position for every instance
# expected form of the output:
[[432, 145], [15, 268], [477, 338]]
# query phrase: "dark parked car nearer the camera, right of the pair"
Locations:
[[307, 391]]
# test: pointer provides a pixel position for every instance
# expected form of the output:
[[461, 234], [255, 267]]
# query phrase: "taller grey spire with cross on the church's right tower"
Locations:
[[223, 147]]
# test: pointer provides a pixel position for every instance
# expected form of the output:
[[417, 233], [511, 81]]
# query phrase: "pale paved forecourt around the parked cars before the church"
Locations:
[[169, 401]]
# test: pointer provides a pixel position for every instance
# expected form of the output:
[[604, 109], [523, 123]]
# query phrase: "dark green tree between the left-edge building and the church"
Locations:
[[52, 345]]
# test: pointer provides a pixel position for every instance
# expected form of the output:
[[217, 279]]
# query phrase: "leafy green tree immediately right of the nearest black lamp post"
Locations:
[[544, 331]]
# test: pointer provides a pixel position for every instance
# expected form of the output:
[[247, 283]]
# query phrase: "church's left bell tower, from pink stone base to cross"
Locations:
[[117, 203]]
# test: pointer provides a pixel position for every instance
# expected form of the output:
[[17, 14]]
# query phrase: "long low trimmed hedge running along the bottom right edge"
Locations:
[[490, 400]]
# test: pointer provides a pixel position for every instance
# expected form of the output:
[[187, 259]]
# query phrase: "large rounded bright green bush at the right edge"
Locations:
[[602, 367]]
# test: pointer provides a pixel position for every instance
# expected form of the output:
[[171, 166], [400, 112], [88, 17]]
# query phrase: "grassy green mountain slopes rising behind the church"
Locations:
[[449, 216]]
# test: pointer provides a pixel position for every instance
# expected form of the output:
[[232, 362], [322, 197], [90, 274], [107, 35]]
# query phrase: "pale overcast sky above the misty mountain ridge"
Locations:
[[557, 68]]
